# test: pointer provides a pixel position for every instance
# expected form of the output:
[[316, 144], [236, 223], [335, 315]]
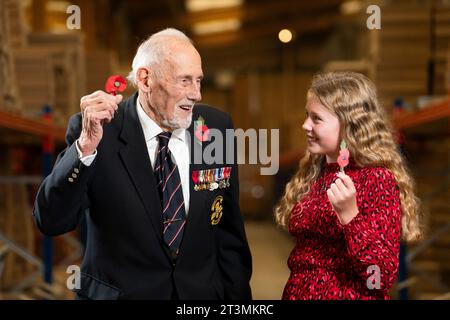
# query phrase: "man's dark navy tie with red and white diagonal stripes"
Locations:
[[171, 194]]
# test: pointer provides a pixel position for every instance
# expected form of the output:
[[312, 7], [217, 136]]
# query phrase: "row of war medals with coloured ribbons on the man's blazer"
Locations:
[[211, 179]]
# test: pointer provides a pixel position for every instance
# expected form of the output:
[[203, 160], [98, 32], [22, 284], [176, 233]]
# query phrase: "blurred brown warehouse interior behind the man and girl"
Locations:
[[258, 59]]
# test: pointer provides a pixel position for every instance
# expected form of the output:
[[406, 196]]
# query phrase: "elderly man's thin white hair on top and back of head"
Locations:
[[152, 51]]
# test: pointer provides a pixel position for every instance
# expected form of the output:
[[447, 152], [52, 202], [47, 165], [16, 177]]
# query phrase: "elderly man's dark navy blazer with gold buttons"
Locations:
[[125, 256]]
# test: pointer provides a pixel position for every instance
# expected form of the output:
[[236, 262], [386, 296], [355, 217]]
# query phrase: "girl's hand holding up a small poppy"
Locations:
[[342, 195]]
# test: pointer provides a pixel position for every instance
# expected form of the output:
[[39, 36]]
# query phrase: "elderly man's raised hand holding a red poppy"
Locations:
[[96, 109]]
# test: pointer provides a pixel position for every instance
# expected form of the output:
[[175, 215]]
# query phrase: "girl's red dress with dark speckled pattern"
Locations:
[[335, 261]]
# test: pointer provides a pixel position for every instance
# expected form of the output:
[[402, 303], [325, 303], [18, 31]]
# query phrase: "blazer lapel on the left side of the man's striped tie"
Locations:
[[135, 158]]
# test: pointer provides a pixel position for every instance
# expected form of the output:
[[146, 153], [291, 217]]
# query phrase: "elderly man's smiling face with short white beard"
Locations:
[[174, 93]]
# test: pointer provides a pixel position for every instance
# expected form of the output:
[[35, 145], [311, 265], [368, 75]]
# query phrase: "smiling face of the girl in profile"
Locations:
[[322, 130]]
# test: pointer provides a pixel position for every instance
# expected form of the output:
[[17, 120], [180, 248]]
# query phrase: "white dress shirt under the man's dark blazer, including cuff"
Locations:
[[178, 145]]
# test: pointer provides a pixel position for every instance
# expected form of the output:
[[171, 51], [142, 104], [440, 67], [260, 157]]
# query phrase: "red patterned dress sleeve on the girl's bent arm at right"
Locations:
[[373, 236]]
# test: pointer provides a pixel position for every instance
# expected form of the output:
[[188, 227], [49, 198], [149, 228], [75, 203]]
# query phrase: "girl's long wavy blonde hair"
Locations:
[[353, 99]]
